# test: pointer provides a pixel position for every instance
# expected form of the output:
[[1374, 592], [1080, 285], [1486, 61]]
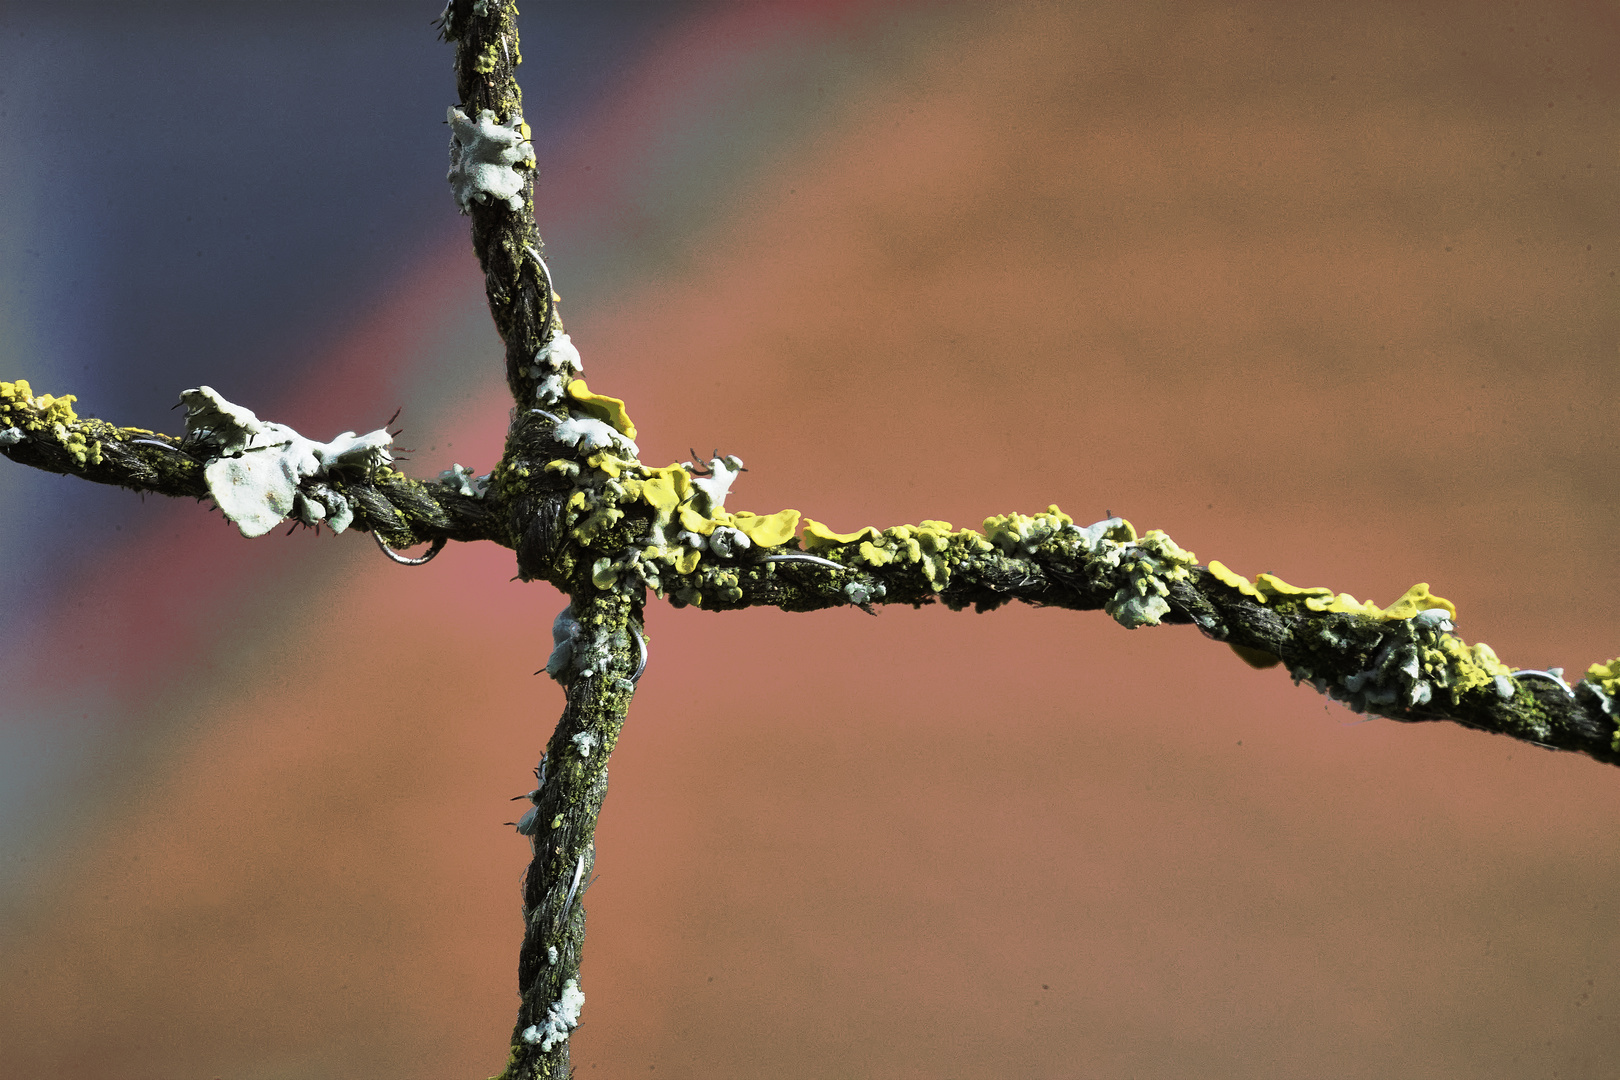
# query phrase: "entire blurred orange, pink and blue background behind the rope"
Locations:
[[1324, 291]]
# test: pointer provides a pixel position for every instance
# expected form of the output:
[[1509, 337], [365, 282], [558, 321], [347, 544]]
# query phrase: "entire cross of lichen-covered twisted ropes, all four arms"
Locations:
[[581, 511]]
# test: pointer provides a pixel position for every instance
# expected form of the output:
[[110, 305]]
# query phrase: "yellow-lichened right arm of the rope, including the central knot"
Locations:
[[628, 527]]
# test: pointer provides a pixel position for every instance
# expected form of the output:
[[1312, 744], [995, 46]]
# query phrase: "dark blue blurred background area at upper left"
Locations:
[[203, 192]]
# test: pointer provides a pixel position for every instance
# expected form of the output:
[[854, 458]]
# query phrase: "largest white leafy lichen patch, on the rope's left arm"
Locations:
[[255, 469]]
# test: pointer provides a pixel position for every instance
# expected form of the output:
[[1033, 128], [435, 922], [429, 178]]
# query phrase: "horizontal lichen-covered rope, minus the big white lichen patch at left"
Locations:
[[586, 516]]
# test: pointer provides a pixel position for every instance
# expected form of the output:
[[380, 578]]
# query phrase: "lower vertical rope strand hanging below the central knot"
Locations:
[[602, 681]]
